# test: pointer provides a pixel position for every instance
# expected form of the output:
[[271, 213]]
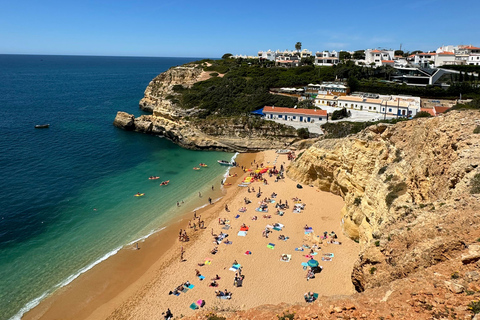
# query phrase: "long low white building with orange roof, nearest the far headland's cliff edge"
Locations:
[[296, 115]]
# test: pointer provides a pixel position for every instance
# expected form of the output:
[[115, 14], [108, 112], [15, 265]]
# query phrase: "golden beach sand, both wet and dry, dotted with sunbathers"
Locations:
[[134, 284]]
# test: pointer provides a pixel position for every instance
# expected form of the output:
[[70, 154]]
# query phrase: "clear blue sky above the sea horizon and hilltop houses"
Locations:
[[164, 28]]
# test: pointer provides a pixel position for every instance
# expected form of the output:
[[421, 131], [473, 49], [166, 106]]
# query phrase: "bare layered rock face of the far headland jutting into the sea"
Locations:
[[239, 134]]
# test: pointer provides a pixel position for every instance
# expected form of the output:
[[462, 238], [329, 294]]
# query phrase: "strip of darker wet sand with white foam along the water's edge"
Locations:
[[121, 269]]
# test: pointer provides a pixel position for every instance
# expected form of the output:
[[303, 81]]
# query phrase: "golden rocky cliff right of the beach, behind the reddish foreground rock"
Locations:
[[406, 191]]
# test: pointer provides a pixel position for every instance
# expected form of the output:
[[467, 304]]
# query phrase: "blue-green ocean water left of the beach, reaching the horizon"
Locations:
[[67, 192]]
